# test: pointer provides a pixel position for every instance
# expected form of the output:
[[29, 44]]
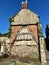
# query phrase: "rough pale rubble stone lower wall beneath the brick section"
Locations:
[[27, 49]]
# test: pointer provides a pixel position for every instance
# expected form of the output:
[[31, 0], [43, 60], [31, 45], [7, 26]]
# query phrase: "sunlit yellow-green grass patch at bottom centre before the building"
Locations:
[[26, 61]]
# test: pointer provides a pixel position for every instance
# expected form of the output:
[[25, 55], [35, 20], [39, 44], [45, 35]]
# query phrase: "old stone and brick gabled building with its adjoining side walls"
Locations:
[[26, 38]]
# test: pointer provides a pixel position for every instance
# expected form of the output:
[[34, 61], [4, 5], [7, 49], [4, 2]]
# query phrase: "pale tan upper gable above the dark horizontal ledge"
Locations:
[[25, 16]]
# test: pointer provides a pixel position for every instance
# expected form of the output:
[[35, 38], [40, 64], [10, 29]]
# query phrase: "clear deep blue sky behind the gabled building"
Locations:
[[8, 8]]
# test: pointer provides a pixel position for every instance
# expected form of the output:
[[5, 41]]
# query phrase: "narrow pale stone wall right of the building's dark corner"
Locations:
[[42, 51]]
